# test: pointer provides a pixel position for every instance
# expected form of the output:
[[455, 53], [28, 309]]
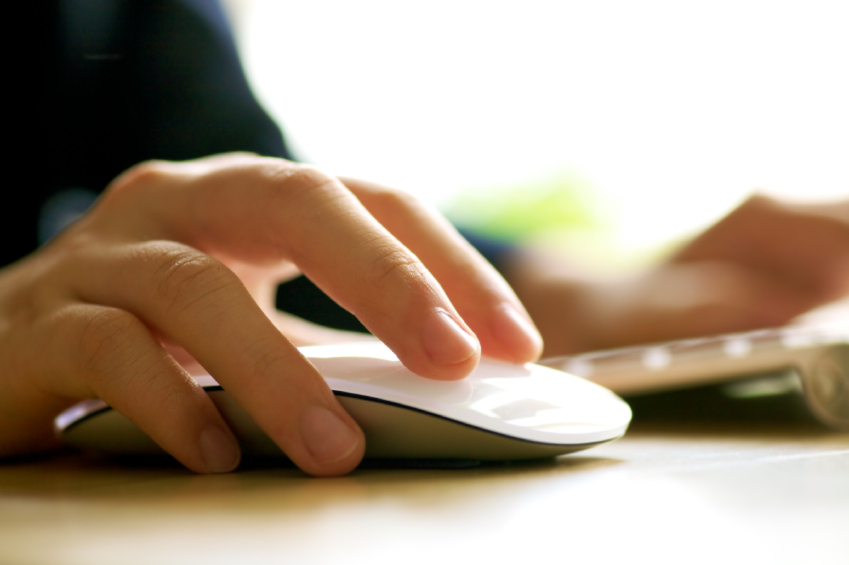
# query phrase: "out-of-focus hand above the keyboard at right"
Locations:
[[761, 266]]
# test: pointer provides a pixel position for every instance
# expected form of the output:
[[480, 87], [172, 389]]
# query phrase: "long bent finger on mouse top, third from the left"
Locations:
[[269, 210]]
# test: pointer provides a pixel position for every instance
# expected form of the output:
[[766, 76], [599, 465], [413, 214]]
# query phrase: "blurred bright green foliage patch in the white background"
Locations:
[[561, 201]]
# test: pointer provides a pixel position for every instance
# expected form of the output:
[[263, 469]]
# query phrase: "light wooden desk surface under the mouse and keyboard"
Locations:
[[666, 493]]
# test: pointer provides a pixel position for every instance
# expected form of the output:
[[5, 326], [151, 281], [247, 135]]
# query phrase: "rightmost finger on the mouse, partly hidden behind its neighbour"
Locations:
[[482, 297]]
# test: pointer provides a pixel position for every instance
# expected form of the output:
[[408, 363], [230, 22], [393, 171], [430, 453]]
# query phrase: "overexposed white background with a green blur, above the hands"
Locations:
[[606, 131]]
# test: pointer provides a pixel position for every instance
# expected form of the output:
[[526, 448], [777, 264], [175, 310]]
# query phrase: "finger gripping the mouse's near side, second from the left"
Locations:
[[200, 304]]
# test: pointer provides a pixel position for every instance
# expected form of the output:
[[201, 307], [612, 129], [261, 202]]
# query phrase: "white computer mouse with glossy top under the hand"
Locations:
[[502, 411]]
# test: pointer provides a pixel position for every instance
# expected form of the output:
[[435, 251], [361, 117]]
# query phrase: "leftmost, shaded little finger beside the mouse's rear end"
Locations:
[[109, 353]]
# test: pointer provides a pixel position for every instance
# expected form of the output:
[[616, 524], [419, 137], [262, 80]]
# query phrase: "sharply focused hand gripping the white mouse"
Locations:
[[177, 262]]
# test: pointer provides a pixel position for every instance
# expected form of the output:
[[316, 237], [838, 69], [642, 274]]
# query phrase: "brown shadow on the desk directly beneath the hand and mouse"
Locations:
[[93, 476]]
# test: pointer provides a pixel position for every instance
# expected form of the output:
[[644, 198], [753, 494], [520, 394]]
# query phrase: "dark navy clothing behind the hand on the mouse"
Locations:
[[120, 82]]
